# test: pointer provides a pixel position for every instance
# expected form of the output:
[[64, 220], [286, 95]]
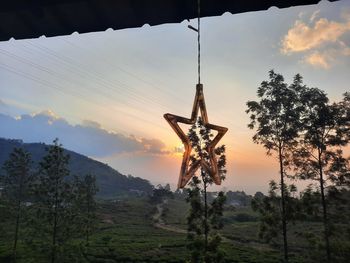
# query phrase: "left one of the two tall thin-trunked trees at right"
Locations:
[[276, 120]]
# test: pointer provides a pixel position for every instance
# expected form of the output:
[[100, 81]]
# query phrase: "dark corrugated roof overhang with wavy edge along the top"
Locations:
[[22, 19]]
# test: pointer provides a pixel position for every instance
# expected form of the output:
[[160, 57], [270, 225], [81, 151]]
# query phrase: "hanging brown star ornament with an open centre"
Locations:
[[211, 167]]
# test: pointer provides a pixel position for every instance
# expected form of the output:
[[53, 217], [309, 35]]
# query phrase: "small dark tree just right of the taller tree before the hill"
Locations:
[[85, 192]]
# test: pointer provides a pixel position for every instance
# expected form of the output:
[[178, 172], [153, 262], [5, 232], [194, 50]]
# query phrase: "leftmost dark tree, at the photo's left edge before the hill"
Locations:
[[17, 181]]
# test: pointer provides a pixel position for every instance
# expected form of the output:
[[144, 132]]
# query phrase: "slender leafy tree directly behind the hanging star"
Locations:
[[204, 219]]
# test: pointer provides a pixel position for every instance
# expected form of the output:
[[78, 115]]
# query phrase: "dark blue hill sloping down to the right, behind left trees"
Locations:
[[110, 182]]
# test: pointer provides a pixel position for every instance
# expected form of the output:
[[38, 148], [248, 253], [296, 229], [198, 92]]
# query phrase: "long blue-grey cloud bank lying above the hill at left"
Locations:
[[88, 138]]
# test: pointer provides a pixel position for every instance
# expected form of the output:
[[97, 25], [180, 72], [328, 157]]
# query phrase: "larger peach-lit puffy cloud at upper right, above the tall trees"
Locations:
[[302, 37]]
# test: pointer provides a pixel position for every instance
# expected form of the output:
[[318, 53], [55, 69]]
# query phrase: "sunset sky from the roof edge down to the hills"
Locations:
[[104, 94]]
